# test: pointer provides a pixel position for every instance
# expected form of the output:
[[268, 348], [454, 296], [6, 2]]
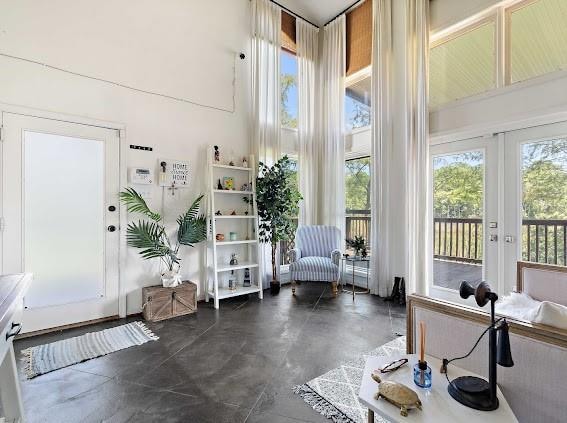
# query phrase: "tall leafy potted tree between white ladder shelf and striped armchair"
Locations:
[[277, 199]]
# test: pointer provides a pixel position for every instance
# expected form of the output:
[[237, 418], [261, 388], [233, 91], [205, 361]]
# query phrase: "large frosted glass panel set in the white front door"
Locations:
[[64, 230]]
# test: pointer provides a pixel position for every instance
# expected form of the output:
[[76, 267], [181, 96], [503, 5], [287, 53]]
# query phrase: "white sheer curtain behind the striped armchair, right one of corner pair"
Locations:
[[332, 187]]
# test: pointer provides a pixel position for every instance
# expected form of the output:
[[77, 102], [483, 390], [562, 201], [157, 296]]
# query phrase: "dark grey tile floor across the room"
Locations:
[[236, 364]]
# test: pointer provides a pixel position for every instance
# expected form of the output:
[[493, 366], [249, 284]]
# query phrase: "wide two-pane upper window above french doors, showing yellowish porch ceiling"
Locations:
[[531, 42]]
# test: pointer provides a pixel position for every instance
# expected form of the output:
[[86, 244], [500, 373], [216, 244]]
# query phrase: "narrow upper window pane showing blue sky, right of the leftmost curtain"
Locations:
[[289, 104]]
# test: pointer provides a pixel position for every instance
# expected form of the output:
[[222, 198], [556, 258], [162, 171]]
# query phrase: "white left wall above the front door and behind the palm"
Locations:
[[180, 48]]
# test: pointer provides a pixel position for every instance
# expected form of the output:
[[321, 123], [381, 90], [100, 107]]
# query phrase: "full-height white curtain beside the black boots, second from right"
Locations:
[[381, 147]]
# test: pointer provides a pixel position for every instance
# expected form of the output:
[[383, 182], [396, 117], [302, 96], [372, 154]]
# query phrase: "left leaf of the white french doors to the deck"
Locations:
[[464, 190]]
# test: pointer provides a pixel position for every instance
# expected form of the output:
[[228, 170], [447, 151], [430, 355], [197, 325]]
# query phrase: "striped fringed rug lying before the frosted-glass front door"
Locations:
[[56, 355]]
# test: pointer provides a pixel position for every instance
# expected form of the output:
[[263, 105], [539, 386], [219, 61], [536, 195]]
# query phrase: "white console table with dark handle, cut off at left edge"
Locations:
[[12, 291]]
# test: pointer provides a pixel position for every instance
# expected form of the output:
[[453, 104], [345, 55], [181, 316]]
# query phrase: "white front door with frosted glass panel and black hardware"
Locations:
[[60, 214]]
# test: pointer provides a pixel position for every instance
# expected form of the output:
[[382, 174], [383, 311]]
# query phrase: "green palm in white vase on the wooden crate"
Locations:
[[151, 236]]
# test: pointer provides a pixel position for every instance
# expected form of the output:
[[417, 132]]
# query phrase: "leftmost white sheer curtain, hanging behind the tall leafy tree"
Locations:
[[266, 30]]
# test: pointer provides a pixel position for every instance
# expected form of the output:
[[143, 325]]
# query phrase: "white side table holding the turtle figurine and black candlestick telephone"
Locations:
[[438, 405]]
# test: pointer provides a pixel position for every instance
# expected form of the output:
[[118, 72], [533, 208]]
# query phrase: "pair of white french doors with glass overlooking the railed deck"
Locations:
[[497, 200]]
